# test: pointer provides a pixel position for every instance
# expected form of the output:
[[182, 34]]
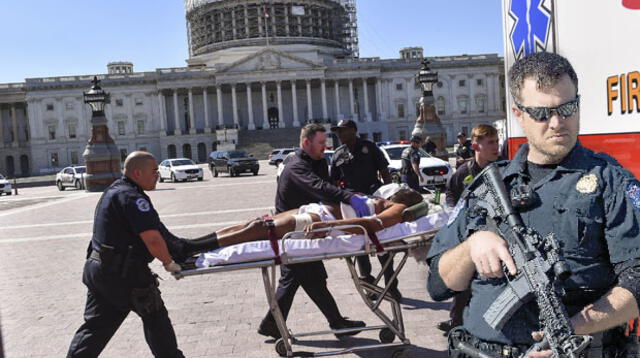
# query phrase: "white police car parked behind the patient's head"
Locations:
[[434, 171]]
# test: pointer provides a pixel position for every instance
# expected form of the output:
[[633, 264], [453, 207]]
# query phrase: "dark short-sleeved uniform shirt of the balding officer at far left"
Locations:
[[123, 212]]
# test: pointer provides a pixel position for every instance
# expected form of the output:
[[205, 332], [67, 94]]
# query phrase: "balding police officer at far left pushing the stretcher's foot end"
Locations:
[[126, 238]]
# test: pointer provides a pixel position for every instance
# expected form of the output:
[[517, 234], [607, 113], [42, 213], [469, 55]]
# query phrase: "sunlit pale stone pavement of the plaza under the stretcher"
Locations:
[[44, 235]]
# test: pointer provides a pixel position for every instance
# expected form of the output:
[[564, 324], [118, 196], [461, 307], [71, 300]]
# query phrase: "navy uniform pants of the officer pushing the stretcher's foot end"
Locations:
[[108, 304]]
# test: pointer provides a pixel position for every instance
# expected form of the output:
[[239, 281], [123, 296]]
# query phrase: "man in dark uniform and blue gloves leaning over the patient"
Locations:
[[305, 179]]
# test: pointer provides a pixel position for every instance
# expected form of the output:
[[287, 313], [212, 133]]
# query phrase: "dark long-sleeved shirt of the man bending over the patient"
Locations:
[[305, 181]]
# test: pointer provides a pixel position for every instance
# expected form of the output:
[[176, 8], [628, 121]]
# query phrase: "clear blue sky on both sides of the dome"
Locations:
[[41, 38]]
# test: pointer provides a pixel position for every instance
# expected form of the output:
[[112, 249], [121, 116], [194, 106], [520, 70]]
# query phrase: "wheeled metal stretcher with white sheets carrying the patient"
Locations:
[[396, 240]]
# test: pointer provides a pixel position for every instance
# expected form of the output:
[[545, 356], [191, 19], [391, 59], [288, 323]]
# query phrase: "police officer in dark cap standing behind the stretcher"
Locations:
[[355, 166]]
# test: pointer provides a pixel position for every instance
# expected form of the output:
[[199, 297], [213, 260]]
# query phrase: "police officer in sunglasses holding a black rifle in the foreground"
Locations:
[[589, 202]]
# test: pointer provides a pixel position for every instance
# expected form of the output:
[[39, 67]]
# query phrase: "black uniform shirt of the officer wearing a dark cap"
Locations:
[[359, 169]]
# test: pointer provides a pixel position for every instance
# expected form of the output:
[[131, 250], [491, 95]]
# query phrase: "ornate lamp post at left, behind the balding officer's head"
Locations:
[[101, 154]]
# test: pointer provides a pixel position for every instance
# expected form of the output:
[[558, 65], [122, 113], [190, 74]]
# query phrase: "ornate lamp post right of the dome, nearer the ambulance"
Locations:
[[428, 123]]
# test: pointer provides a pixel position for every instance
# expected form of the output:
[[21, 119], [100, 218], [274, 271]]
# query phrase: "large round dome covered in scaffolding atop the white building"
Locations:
[[221, 31]]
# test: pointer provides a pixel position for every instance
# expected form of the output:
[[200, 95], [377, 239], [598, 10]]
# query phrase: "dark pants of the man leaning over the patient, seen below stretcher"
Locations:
[[313, 279]]
